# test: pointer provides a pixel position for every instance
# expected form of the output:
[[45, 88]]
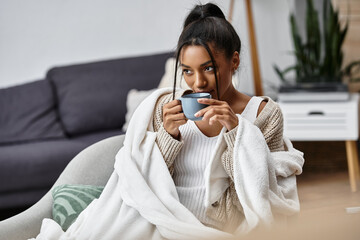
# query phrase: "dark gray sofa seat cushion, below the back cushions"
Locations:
[[35, 165]]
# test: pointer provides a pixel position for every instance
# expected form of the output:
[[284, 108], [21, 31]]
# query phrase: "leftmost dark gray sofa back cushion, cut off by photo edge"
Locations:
[[27, 112]]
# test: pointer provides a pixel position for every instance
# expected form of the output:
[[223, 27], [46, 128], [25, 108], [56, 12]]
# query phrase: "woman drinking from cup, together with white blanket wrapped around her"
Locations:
[[231, 172]]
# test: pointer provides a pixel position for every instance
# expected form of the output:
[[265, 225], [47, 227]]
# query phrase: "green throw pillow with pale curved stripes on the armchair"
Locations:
[[71, 200]]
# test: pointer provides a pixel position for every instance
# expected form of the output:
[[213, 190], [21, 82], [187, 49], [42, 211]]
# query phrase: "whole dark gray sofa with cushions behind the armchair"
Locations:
[[45, 123]]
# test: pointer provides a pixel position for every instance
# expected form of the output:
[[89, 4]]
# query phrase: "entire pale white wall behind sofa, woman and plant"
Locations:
[[38, 34]]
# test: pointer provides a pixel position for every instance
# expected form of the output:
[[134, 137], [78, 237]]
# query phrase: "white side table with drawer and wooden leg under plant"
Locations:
[[326, 121]]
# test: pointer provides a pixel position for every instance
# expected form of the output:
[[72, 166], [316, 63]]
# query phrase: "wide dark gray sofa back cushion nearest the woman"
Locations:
[[92, 96]]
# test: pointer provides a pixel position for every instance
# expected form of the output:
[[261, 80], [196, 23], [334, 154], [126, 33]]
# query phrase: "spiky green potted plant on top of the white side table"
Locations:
[[319, 58]]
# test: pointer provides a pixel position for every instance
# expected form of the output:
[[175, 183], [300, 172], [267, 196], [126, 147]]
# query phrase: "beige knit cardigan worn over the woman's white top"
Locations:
[[228, 209]]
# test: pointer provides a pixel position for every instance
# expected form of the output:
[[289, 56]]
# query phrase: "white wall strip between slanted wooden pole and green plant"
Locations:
[[273, 38]]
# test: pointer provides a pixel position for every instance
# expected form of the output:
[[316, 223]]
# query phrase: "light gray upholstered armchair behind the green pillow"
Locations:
[[92, 166]]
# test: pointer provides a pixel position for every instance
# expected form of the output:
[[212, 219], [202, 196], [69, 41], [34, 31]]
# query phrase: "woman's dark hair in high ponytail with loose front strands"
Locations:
[[206, 24]]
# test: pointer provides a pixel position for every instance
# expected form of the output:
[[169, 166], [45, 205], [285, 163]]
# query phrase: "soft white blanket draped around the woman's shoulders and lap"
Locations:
[[140, 199]]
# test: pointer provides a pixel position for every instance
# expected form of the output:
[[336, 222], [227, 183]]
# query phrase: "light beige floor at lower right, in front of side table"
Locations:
[[324, 200]]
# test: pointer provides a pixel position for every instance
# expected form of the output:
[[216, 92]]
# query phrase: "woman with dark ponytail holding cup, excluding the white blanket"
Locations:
[[208, 54]]
